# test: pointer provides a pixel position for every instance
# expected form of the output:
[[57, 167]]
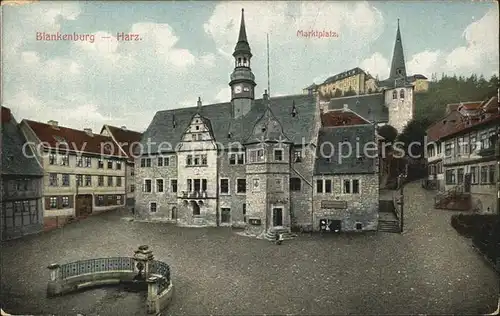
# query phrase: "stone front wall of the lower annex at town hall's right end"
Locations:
[[361, 208]]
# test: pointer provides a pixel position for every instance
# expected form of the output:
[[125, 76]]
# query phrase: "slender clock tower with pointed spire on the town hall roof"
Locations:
[[242, 79]]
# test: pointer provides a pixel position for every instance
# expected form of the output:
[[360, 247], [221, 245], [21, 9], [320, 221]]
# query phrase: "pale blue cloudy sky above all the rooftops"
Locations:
[[185, 51]]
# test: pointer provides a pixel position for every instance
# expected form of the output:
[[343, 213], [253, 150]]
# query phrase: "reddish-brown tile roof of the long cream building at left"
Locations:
[[77, 140]]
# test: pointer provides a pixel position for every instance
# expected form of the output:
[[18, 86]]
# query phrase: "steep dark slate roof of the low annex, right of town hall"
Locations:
[[341, 162]]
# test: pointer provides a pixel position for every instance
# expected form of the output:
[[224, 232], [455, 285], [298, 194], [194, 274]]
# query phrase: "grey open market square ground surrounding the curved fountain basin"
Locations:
[[428, 269]]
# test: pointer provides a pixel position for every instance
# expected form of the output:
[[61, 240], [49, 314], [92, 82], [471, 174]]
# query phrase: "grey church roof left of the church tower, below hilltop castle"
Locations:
[[369, 106]]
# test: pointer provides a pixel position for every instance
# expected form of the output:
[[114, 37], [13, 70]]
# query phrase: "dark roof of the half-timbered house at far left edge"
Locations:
[[13, 161]]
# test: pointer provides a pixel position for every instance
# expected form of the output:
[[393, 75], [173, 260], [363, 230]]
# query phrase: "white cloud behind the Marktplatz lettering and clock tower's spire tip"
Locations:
[[360, 23]]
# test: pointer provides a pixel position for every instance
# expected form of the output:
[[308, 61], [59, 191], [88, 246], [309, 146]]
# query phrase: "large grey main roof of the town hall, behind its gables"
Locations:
[[162, 130]]
